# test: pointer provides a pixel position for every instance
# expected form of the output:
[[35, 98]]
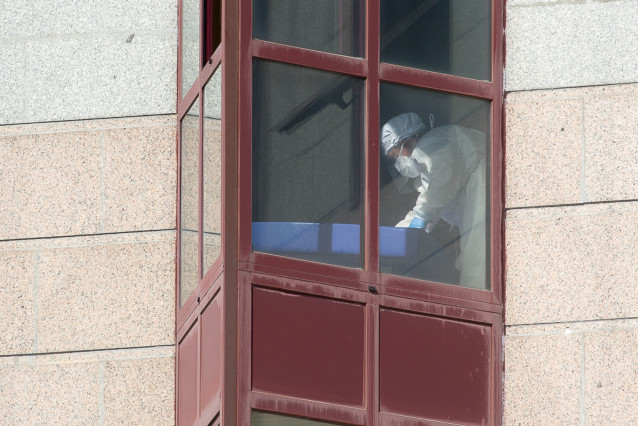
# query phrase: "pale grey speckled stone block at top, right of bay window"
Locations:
[[567, 43]]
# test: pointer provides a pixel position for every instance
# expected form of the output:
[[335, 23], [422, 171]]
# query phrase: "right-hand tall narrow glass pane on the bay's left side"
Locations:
[[212, 170]]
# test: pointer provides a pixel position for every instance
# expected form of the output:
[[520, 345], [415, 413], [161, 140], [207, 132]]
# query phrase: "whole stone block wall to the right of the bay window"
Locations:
[[571, 203]]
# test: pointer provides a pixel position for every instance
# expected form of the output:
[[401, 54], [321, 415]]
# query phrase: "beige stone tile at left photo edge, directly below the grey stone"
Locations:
[[51, 185]]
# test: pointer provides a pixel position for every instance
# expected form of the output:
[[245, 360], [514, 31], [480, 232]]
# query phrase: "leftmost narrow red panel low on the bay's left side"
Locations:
[[187, 373]]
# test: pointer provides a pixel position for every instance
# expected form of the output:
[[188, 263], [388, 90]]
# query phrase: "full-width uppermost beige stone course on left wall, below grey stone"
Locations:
[[87, 177]]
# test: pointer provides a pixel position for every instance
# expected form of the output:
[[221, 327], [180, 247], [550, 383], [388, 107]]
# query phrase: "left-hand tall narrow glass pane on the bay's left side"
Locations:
[[189, 276]]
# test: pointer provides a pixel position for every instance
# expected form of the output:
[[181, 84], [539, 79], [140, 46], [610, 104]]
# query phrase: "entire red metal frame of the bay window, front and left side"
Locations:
[[239, 269]]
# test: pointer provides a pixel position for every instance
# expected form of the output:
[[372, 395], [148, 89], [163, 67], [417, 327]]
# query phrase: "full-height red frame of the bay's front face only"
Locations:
[[302, 277]]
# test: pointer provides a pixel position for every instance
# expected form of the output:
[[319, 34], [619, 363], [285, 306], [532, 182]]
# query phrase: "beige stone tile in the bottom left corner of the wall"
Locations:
[[52, 394]]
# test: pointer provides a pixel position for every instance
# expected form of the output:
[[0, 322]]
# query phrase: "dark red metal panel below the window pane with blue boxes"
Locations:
[[308, 347]]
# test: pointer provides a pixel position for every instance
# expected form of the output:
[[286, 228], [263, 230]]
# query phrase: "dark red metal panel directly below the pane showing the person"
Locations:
[[434, 368]]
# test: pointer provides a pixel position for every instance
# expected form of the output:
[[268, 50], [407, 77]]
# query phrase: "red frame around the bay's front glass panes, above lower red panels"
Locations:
[[374, 72]]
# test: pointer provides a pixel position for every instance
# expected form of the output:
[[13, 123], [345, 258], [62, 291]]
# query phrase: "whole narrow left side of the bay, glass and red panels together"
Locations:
[[199, 290]]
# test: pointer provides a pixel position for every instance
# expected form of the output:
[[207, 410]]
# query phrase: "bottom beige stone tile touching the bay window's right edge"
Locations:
[[542, 380]]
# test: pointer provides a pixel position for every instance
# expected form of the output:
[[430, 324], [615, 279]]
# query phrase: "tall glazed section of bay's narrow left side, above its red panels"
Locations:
[[200, 143]]
